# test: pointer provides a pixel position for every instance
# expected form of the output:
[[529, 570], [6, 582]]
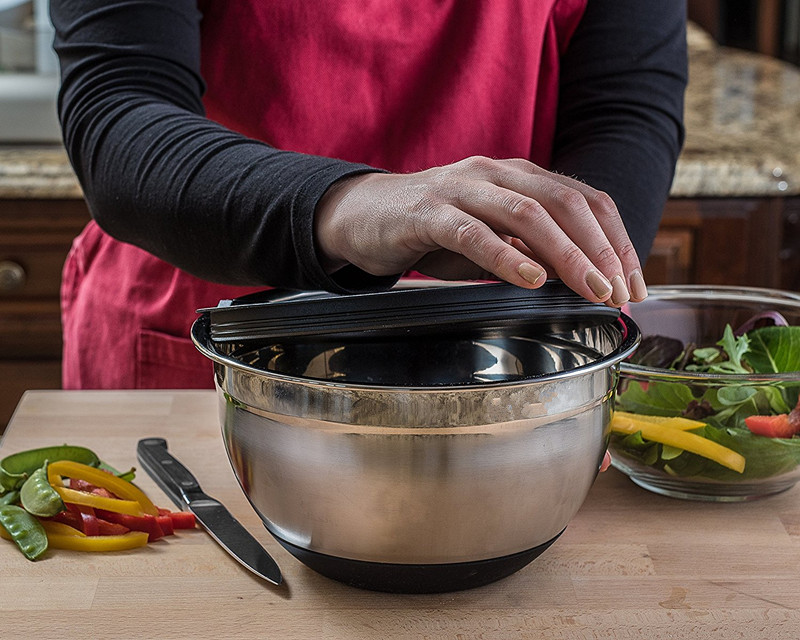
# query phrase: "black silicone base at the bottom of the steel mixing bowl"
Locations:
[[415, 578]]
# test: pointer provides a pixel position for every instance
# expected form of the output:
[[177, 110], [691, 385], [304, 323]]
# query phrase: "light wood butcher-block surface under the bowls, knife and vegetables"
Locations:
[[631, 564]]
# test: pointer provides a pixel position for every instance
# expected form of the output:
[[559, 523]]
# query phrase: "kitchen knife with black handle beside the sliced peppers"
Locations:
[[184, 490]]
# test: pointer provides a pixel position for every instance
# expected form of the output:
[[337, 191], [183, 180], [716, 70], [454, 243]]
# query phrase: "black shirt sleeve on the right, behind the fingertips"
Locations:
[[620, 118]]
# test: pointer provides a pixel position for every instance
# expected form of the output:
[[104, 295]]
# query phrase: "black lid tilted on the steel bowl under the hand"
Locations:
[[283, 314]]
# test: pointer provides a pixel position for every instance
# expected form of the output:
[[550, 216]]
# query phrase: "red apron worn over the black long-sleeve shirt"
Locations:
[[382, 82]]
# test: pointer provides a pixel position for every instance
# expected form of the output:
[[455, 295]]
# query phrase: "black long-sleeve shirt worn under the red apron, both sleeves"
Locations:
[[158, 174]]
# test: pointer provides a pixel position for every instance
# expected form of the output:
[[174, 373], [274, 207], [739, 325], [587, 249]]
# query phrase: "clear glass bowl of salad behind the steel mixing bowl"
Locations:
[[732, 463]]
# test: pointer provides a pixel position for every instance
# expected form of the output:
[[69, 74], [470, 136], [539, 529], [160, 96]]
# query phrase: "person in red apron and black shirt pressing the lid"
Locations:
[[229, 147]]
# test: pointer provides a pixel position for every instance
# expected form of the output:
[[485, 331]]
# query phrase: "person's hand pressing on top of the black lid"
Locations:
[[481, 219]]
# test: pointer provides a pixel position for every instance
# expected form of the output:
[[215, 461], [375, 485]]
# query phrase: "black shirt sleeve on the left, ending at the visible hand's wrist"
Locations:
[[158, 174]]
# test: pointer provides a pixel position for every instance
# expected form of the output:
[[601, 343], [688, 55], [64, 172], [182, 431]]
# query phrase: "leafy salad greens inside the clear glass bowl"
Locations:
[[723, 407]]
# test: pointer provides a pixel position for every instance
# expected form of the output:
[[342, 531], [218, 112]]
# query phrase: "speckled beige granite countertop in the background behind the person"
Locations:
[[742, 133]]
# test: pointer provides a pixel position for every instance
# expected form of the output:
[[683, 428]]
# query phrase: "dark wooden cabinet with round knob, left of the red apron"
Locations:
[[35, 236]]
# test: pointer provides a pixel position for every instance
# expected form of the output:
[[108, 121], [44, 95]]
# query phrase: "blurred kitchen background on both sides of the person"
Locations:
[[733, 217]]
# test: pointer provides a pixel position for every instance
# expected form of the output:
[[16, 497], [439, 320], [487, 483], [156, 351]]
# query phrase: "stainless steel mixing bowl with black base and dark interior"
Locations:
[[419, 464]]
